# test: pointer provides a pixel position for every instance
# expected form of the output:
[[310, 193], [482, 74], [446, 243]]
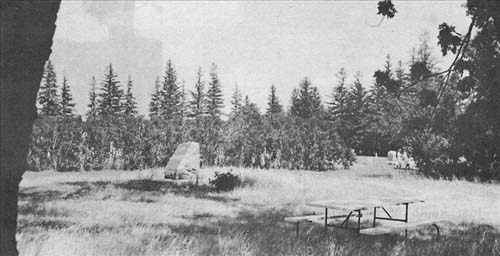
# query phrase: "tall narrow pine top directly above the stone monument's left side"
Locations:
[[171, 95]]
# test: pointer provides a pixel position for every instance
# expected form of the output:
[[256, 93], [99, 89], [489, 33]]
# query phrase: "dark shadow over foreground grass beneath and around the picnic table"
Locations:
[[265, 233]]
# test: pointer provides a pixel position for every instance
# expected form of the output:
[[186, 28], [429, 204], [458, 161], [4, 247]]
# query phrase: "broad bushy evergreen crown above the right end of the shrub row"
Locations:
[[306, 101]]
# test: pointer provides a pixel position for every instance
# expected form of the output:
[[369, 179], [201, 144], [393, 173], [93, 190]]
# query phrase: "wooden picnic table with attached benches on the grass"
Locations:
[[354, 208]]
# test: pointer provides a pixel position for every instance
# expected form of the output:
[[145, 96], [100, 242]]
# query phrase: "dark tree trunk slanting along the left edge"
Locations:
[[26, 34]]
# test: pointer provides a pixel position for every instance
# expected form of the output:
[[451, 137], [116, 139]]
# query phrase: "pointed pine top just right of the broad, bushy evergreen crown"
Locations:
[[339, 96]]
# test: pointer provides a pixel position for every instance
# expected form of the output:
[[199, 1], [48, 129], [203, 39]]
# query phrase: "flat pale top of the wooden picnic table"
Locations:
[[363, 204]]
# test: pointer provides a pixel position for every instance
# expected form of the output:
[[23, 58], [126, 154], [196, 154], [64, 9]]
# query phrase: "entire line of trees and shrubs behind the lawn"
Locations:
[[407, 106]]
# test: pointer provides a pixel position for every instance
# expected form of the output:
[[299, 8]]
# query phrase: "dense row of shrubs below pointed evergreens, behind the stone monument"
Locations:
[[127, 142]]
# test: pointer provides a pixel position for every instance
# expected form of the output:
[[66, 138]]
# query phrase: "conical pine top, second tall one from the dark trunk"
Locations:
[[111, 96]]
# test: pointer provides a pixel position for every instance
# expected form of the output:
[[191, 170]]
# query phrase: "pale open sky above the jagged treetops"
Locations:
[[255, 44]]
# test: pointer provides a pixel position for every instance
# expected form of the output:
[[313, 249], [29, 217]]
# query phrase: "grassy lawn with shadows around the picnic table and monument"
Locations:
[[137, 213]]
